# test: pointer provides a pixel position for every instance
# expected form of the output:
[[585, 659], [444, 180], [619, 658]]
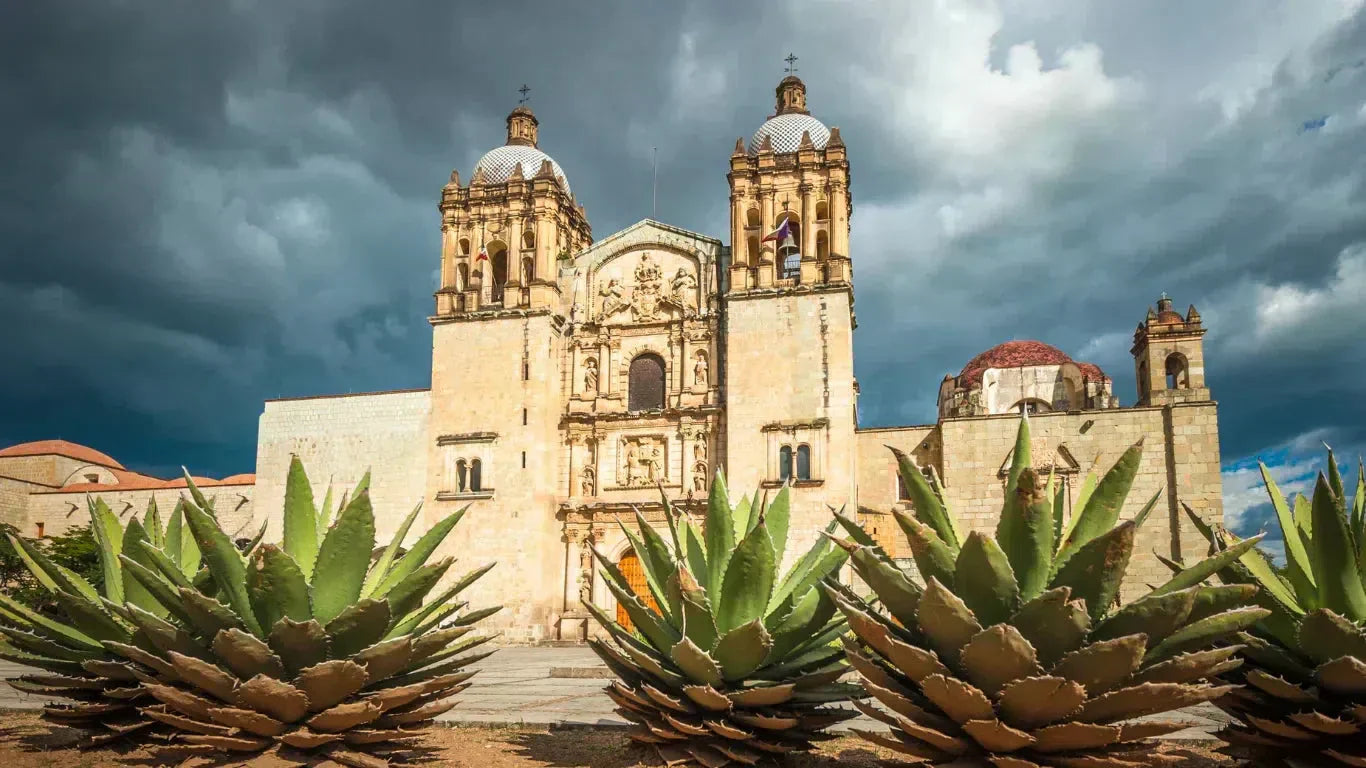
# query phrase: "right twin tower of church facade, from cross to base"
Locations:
[[790, 407]]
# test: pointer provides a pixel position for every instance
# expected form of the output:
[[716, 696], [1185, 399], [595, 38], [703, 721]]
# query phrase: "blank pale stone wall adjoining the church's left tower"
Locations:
[[338, 439]]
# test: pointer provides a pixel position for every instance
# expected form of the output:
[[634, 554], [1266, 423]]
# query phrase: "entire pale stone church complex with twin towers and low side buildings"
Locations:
[[572, 378]]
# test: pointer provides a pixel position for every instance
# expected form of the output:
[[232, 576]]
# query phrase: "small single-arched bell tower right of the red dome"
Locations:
[[1170, 357]]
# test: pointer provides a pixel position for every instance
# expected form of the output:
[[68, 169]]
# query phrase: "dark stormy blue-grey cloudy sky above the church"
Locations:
[[206, 206]]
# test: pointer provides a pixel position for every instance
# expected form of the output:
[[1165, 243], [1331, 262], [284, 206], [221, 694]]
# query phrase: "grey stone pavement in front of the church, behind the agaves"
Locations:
[[550, 687]]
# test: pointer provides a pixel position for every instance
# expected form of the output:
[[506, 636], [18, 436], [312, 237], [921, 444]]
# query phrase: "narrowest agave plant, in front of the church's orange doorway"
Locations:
[[729, 662]]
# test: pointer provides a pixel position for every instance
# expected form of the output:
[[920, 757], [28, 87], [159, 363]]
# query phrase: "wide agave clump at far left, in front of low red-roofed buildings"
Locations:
[[308, 644]]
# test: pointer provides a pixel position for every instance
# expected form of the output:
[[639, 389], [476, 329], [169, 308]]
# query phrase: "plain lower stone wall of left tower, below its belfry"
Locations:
[[484, 374]]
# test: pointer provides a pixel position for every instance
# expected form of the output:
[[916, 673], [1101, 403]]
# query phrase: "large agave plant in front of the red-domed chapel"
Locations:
[[1010, 651]]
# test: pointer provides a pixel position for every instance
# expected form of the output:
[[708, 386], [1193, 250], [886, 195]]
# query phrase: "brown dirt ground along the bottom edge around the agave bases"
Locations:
[[29, 743]]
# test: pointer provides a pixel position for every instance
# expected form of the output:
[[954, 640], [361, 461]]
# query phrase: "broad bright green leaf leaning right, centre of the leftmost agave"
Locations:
[[339, 572]]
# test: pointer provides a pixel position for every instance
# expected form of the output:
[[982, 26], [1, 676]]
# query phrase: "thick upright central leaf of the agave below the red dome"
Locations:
[[1025, 531]]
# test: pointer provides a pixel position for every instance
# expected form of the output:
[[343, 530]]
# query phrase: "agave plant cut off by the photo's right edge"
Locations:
[[1305, 670]]
